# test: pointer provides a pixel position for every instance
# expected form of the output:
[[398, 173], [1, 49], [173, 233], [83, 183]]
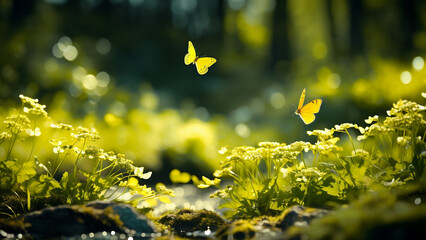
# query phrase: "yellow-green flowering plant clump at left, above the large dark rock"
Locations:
[[96, 174]]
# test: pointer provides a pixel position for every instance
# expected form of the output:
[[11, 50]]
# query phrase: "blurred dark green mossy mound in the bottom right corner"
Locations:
[[375, 215]]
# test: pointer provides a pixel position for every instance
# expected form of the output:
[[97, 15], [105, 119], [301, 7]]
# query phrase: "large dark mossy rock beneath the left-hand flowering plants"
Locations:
[[73, 220]]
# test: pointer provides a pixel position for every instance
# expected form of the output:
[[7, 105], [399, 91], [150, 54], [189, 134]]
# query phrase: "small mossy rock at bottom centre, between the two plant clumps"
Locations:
[[187, 221]]
